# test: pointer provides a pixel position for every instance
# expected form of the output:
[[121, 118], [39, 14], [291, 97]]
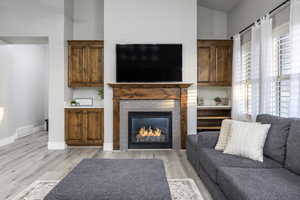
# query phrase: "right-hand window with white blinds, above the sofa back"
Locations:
[[282, 72]]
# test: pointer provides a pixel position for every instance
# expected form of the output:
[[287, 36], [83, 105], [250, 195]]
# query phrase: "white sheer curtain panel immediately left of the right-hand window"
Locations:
[[267, 71]]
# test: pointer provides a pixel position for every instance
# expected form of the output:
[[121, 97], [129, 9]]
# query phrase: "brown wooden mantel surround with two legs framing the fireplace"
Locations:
[[149, 91]]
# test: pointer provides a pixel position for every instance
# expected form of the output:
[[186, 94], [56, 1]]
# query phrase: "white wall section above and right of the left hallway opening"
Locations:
[[42, 18]]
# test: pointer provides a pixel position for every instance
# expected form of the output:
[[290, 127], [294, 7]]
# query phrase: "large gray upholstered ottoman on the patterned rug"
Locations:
[[107, 179]]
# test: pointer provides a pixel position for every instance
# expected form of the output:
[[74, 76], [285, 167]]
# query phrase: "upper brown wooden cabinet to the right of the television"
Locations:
[[214, 62]]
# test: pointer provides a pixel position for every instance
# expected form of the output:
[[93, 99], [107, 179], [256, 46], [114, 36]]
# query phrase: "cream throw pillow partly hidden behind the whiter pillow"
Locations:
[[224, 136]]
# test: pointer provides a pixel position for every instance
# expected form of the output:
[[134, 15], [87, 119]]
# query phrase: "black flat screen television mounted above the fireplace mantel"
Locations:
[[149, 63]]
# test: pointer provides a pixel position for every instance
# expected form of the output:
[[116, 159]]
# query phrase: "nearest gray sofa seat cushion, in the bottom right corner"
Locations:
[[259, 184]]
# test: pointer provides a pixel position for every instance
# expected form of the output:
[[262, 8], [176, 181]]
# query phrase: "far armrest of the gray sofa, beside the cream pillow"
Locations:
[[208, 139]]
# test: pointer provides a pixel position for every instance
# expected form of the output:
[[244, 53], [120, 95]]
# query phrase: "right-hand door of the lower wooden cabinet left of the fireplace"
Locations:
[[95, 128]]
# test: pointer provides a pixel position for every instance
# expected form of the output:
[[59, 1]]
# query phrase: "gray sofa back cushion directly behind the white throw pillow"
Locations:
[[275, 145]]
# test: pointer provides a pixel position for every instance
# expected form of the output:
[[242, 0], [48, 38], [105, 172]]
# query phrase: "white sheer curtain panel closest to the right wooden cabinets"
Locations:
[[237, 97]]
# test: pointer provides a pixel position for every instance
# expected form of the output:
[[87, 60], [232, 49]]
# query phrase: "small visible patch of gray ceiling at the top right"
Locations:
[[223, 5]]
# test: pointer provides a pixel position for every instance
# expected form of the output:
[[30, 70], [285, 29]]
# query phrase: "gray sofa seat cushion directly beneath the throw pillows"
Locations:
[[211, 160]]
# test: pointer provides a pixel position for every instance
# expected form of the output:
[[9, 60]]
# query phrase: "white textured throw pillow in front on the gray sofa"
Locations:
[[247, 140]]
